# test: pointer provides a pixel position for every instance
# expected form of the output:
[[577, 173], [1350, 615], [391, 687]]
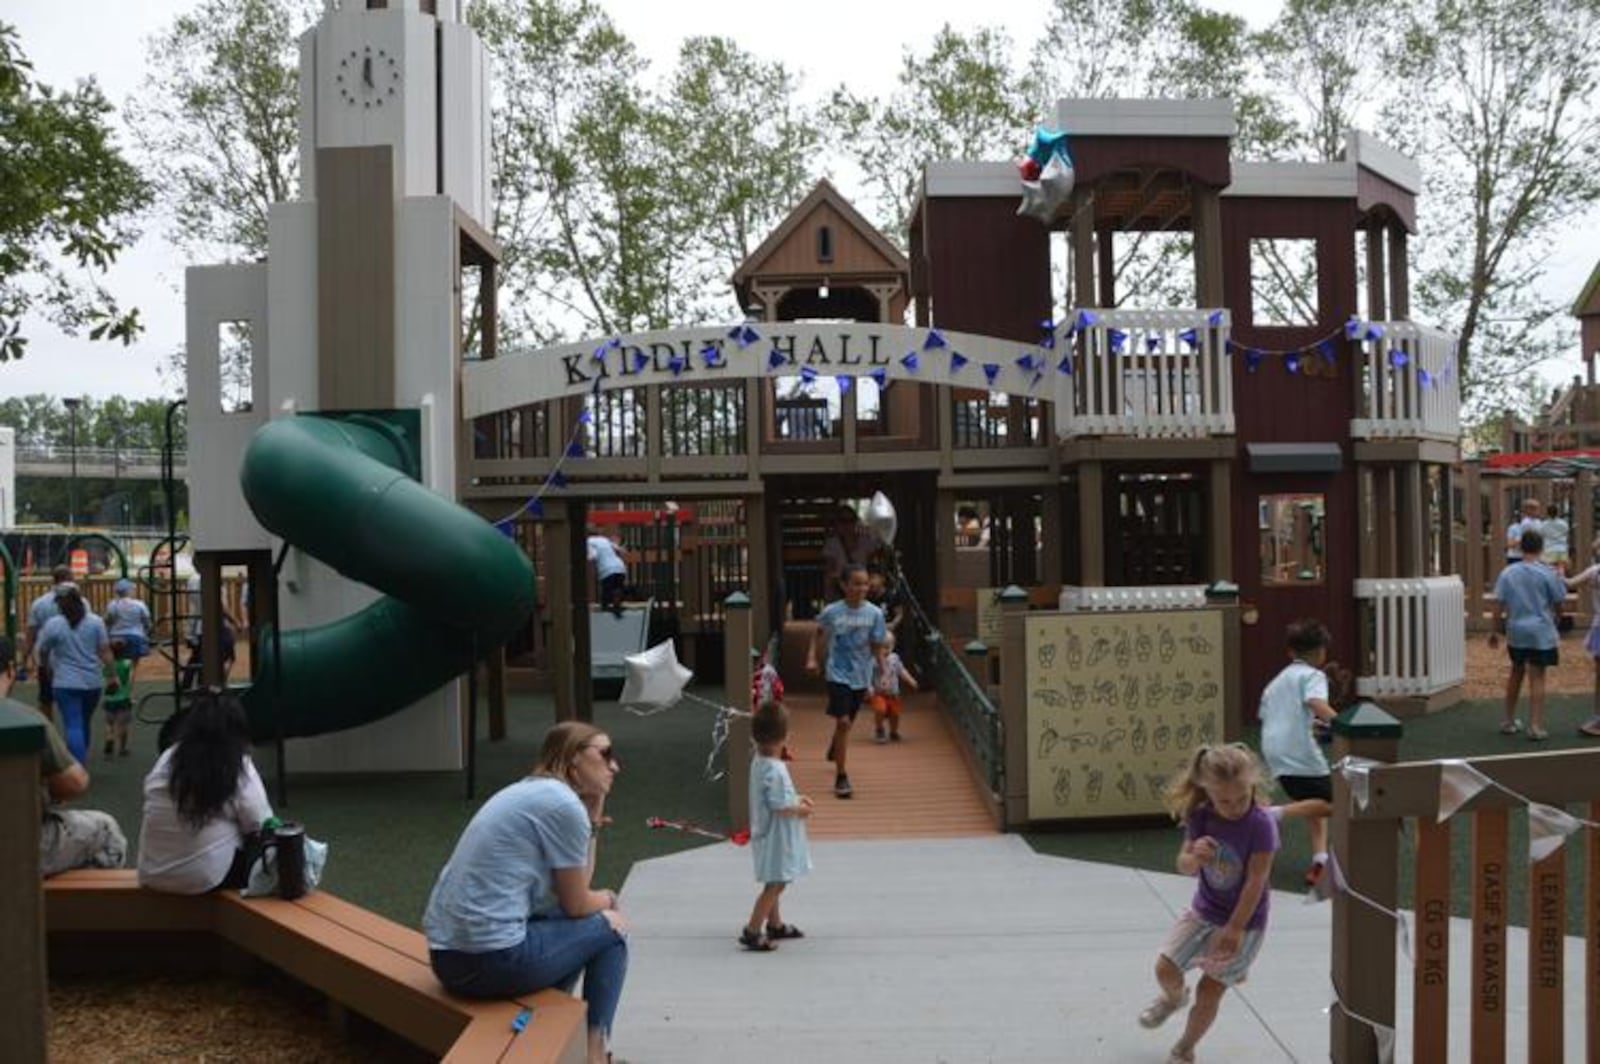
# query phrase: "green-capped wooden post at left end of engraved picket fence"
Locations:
[[1367, 852]]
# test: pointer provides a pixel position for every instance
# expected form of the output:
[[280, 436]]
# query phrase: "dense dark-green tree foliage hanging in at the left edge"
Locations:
[[68, 196]]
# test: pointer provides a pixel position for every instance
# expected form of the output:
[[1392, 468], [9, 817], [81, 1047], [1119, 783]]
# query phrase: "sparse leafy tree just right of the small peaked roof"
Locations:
[[961, 102]]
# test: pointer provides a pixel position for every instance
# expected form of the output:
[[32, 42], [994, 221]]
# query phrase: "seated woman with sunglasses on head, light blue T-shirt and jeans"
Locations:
[[513, 911]]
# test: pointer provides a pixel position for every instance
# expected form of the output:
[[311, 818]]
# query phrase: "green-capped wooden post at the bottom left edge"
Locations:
[[23, 1022]]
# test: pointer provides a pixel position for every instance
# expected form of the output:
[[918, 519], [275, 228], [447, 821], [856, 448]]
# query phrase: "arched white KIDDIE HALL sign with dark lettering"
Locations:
[[705, 356]]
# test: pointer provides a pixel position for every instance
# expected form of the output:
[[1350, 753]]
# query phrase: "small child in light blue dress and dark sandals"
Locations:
[[777, 830]]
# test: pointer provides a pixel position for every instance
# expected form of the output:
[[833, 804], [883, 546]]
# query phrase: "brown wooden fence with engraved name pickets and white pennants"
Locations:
[[1369, 849]]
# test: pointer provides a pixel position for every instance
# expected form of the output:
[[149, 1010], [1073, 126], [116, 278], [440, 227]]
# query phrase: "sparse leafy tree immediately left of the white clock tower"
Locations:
[[218, 122]]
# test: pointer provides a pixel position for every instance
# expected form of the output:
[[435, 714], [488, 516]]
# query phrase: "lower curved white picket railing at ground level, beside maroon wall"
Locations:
[[1420, 636]]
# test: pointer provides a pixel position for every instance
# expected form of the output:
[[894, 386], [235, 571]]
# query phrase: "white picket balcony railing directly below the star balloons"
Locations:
[[1148, 374]]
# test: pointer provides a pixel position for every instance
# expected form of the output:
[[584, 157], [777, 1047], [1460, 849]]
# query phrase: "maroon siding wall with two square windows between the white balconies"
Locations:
[[1279, 407]]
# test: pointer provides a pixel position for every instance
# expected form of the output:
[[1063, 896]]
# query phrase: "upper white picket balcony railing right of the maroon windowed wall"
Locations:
[[1410, 383]]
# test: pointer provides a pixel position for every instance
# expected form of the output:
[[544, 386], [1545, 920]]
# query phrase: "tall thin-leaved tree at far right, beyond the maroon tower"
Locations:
[[1498, 106]]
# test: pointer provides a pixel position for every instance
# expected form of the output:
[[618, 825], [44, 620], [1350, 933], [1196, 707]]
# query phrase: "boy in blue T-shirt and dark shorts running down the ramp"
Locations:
[[854, 631]]
